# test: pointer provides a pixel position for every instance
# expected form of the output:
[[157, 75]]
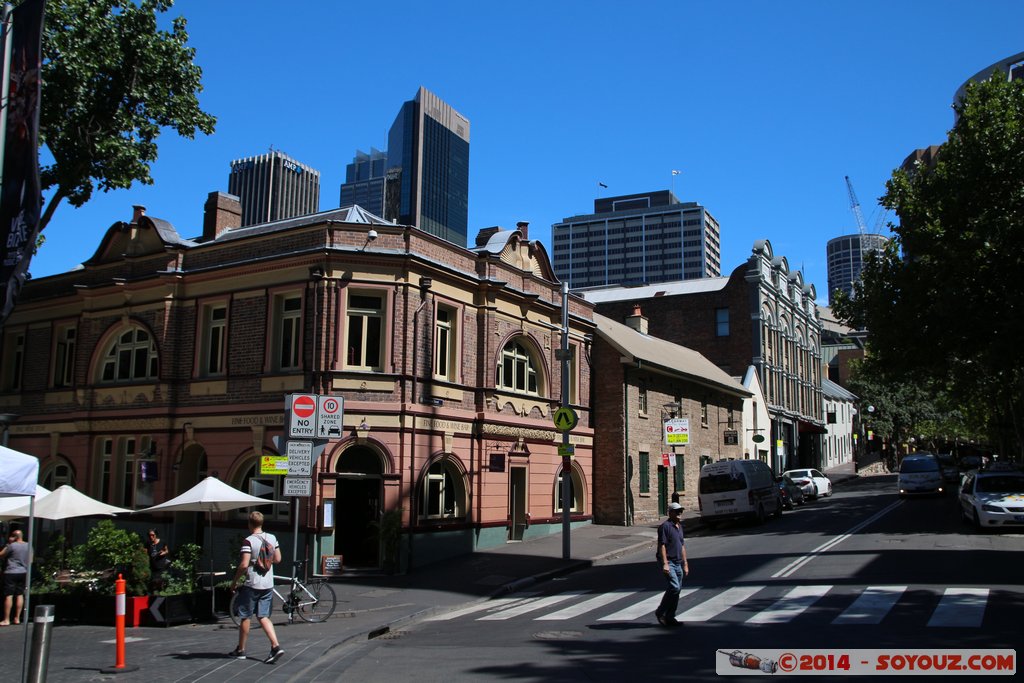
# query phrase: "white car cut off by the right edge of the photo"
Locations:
[[994, 498]]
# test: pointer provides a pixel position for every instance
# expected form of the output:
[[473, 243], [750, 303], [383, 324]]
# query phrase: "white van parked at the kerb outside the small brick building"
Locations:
[[738, 490]]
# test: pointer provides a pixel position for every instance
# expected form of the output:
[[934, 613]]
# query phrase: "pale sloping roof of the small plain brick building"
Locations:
[[672, 358]]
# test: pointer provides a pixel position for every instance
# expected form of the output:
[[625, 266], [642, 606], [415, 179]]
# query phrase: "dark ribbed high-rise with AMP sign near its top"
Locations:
[[274, 187]]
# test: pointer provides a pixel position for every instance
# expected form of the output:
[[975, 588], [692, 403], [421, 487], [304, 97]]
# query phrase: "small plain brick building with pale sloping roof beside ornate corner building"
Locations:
[[647, 385]]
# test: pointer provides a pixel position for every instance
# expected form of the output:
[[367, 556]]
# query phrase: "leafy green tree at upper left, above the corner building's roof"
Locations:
[[113, 81]]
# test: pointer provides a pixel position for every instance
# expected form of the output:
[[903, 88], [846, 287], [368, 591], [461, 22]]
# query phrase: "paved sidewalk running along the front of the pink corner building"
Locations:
[[368, 606]]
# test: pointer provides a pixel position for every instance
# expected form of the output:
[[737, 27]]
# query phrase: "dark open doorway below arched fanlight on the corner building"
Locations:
[[358, 510]]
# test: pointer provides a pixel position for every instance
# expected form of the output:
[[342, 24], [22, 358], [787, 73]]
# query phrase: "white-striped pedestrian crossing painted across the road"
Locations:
[[755, 605]]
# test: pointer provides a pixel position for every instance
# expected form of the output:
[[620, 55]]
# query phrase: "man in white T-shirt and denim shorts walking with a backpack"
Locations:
[[260, 553]]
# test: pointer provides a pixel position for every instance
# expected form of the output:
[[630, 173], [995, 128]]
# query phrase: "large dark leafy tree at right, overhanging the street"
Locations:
[[945, 303]]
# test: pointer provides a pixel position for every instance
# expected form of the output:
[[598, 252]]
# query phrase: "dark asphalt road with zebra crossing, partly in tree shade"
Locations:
[[863, 570]]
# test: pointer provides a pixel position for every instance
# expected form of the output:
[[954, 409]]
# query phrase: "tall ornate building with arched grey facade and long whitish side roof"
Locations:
[[762, 316]]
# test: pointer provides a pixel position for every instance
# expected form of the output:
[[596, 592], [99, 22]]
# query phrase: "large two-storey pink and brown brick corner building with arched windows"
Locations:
[[164, 360]]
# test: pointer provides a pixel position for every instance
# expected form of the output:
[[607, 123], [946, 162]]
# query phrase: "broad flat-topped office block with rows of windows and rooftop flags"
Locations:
[[637, 239]]
